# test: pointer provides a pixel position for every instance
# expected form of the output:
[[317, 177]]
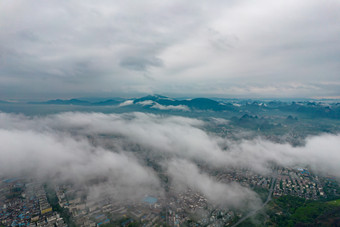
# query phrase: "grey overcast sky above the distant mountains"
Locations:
[[235, 48]]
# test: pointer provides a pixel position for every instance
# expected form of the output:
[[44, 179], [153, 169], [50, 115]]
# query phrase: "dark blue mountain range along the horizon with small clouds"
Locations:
[[164, 103]]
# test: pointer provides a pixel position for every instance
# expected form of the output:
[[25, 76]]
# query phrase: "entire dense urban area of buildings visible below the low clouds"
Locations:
[[30, 202]]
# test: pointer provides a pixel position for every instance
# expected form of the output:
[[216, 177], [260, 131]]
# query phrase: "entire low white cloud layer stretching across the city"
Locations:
[[111, 148]]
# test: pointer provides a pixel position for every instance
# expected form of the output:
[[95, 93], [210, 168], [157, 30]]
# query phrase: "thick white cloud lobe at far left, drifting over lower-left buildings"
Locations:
[[34, 148]]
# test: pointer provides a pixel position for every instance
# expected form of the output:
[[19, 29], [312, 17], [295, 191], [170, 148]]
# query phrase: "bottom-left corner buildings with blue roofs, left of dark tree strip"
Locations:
[[24, 203]]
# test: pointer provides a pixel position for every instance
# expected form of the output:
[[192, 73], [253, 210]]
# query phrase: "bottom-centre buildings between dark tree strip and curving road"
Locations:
[[174, 209]]
